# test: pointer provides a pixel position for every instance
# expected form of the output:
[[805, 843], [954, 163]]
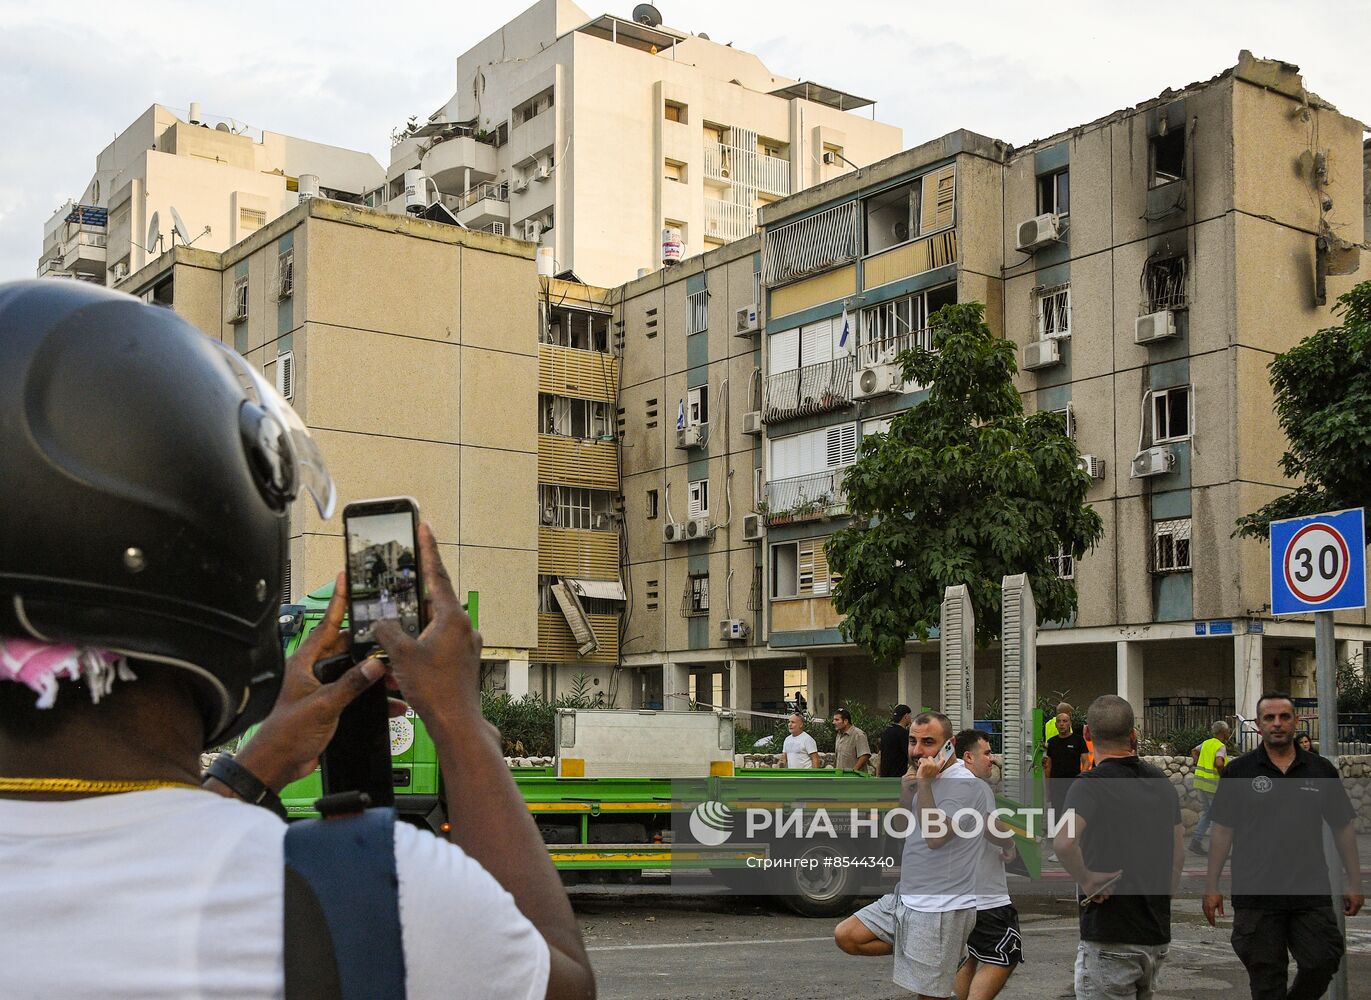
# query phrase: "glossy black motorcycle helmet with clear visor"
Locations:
[[146, 473]]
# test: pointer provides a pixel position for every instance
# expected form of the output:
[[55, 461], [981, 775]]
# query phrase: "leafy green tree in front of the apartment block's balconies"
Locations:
[[963, 489]]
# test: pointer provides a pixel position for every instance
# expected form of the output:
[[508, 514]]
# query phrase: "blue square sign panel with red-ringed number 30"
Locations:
[[1320, 563]]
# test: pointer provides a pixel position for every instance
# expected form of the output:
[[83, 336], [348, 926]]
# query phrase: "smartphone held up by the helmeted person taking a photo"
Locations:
[[383, 569]]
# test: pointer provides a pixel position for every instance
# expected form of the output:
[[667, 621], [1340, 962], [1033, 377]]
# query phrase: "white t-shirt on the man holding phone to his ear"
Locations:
[[944, 880]]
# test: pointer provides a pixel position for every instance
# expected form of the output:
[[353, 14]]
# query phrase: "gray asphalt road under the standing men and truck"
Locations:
[[648, 943]]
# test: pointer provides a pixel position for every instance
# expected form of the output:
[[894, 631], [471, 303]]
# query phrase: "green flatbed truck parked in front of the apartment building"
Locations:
[[603, 822]]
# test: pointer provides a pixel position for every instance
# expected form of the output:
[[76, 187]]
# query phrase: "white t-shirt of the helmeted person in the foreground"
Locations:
[[179, 894]]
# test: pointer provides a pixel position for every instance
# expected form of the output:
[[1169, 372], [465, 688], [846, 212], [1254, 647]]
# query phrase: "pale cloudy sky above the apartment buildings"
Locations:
[[76, 75]]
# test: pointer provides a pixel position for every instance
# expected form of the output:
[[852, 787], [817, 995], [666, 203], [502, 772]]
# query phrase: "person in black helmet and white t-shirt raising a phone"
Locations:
[[145, 479]]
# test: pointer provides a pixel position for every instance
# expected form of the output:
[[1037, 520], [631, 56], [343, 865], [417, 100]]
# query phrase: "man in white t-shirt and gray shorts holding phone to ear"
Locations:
[[927, 921]]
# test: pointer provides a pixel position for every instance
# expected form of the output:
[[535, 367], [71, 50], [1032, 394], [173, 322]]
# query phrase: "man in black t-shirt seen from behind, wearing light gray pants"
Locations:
[[1124, 844]]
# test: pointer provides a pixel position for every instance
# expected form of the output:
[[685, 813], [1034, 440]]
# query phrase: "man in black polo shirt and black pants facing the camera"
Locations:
[[1270, 810]]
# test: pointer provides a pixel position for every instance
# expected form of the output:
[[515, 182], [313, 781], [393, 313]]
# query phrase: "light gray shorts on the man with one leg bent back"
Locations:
[[929, 947]]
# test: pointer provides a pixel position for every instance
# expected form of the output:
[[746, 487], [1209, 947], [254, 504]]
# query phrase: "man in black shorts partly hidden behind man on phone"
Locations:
[[995, 949]]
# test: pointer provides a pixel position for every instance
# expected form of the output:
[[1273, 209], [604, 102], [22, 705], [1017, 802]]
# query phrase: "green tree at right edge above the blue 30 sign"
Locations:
[[1324, 401]]
